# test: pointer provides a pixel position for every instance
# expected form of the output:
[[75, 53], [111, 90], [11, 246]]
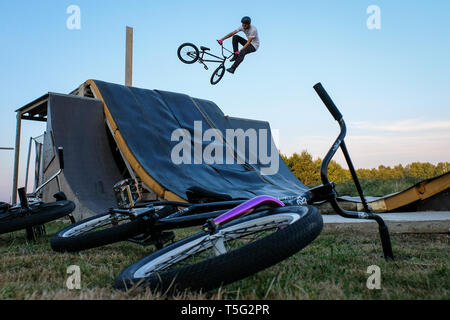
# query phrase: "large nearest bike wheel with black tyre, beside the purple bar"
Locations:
[[239, 249]]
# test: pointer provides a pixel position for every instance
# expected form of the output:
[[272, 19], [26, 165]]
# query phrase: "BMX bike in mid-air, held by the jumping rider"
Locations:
[[189, 53]]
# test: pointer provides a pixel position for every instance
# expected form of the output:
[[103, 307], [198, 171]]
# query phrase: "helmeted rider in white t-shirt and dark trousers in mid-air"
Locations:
[[249, 46]]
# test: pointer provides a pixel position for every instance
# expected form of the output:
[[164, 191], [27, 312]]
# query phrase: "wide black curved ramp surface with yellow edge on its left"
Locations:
[[146, 119]]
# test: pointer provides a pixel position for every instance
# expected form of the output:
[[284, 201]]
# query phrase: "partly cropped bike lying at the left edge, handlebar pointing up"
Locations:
[[32, 212]]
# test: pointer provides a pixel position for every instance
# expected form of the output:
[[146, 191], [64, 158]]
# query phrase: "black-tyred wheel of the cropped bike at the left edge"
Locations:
[[15, 220]]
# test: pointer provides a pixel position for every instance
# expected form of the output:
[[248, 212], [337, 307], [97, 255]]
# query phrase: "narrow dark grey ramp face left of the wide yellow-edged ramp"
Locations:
[[78, 125]]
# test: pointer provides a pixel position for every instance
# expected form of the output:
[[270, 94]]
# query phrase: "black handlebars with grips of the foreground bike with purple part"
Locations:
[[340, 143]]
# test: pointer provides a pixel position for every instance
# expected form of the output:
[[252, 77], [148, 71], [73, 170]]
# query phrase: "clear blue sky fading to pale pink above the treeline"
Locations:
[[392, 84]]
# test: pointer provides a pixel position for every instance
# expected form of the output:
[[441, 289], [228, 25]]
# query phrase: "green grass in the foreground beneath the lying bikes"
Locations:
[[334, 266]]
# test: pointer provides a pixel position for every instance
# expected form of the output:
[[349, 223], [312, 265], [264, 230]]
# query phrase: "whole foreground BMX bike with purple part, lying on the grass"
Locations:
[[235, 237]]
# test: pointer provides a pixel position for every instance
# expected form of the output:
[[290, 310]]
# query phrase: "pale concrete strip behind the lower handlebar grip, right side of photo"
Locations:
[[405, 222]]
